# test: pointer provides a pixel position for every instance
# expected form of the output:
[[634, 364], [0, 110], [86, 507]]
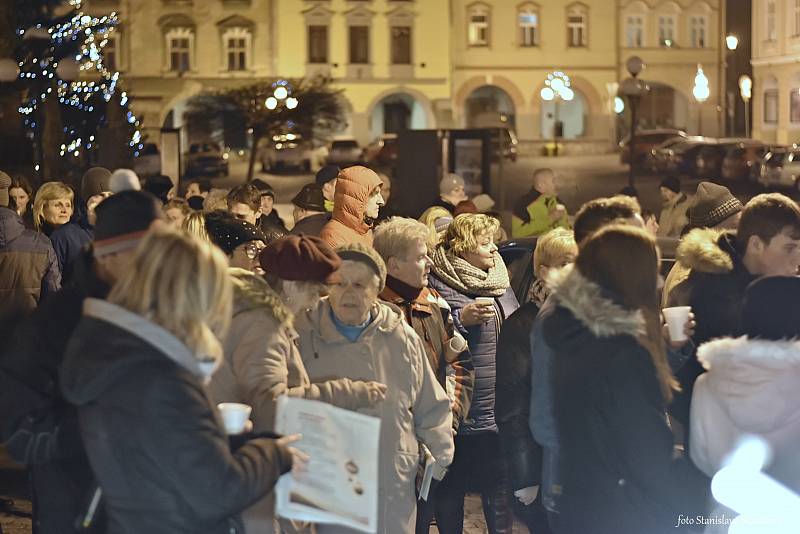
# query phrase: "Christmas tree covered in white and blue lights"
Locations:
[[69, 90]]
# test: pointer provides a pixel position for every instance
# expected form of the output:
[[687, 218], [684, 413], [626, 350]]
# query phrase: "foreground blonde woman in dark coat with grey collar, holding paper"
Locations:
[[136, 369]]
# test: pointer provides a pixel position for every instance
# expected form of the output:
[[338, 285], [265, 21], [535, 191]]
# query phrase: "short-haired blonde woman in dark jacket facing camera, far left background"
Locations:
[[53, 210]]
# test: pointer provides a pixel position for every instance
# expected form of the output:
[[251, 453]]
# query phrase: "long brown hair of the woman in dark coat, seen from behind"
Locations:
[[624, 260]]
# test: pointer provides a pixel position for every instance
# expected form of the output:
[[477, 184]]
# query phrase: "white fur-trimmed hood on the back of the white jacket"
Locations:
[[755, 381]]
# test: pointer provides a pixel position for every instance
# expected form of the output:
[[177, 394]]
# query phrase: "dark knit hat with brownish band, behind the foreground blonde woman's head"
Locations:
[[122, 221]]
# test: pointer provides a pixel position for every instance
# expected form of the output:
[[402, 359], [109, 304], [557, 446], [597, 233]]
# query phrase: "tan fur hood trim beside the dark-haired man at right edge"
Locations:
[[707, 250]]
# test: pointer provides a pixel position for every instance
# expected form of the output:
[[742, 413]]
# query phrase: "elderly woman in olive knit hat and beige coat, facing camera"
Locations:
[[353, 333]]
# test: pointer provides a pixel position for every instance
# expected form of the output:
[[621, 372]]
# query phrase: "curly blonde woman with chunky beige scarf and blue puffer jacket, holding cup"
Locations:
[[470, 275]]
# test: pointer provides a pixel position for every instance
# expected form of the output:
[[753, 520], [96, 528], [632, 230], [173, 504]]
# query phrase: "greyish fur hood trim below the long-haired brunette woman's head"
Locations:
[[592, 306]]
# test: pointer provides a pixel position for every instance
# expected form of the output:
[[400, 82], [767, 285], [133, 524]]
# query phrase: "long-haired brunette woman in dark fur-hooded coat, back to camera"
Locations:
[[611, 387]]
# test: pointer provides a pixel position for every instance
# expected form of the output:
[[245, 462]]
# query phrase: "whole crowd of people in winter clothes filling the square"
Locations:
[[129, 313]]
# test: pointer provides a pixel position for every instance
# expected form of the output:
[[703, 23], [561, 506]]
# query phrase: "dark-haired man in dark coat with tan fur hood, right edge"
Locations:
[[723, 265]]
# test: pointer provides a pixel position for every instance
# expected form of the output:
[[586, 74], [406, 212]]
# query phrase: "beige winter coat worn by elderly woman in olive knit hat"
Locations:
[[416, 406]]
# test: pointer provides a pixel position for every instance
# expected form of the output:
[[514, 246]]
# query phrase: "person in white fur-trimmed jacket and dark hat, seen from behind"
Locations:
[[752, 386]]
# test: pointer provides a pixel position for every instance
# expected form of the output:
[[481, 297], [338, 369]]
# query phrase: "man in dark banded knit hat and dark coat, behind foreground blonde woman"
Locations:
[[39, 427]]
